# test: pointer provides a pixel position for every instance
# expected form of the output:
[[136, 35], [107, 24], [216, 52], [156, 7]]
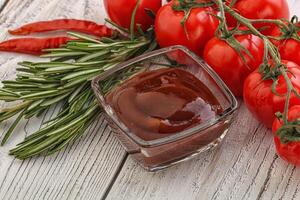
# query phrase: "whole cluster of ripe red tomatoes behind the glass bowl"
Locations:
[[197, 29]]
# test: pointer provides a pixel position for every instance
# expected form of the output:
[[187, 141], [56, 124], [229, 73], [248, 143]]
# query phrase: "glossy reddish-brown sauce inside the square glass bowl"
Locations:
[[161, 102]]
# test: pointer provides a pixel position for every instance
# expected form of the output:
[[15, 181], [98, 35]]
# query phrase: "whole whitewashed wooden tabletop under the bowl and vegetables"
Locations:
[[244, 167]]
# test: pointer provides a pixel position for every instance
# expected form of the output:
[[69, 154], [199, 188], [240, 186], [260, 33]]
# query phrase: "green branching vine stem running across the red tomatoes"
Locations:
[[272, 67]]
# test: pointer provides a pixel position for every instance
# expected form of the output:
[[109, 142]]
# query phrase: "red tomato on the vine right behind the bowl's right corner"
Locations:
[[228, 63]]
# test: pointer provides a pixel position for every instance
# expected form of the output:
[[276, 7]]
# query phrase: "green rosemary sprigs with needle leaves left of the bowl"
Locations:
[[64, 80]]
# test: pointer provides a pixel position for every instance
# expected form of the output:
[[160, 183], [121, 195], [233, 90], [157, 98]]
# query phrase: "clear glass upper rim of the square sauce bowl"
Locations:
[[177, 136]]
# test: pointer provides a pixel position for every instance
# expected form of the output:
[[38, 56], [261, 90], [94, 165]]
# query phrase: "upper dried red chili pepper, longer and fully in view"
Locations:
[[83, 26]]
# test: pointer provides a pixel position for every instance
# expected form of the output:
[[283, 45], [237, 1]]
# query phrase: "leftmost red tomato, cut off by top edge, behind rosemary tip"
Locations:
[[120, 12]]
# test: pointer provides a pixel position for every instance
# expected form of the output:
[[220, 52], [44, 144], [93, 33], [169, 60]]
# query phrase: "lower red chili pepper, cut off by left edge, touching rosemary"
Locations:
[[32, 46]]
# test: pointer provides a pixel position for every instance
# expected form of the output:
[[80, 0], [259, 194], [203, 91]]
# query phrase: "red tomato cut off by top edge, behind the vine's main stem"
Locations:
[[263, 9]]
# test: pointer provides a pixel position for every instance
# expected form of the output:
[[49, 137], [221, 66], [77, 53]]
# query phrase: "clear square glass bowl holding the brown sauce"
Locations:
[[160, 153]]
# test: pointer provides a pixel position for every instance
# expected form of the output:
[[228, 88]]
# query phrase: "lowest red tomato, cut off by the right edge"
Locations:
[[288, 151]]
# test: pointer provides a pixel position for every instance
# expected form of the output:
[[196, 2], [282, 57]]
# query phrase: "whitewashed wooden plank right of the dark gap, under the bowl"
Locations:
[[244, 167]]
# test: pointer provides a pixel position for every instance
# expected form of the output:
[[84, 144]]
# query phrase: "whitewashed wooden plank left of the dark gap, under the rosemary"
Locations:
[[85, 169]]
